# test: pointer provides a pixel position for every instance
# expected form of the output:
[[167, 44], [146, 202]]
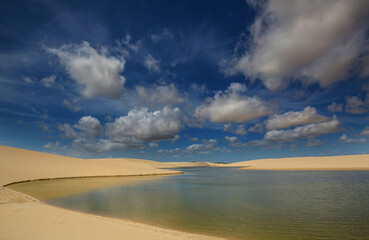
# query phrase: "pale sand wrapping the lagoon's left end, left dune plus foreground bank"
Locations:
[[22, 217]]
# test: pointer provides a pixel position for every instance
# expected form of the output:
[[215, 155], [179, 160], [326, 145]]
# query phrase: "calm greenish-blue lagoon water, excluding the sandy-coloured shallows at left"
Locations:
[[241, 204]]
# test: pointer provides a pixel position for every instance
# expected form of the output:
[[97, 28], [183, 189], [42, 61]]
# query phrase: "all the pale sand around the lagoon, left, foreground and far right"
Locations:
[[24, 217]]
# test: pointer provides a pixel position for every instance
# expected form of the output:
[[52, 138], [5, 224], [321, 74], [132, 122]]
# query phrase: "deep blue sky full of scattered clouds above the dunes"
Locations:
[[185, 80]]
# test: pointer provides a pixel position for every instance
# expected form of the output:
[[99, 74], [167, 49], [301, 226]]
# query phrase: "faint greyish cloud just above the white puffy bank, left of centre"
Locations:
[[164, 94]]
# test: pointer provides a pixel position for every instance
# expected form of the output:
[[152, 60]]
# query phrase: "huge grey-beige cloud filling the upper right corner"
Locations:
[[316, 41]]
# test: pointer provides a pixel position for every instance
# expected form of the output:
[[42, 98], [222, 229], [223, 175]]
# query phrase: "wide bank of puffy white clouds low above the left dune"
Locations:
[[126, 132]]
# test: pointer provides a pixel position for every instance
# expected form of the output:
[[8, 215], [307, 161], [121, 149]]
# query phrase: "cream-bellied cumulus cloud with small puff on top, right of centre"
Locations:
[[231, 106]]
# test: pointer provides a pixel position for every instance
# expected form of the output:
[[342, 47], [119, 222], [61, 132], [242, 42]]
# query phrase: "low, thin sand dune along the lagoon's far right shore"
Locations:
[[348, 162]]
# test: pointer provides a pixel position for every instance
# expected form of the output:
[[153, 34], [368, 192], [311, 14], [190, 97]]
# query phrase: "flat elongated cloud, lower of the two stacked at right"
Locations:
[[307, 131]]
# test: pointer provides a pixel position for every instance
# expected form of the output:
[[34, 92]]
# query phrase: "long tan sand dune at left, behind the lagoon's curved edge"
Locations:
[[20, 165]]
